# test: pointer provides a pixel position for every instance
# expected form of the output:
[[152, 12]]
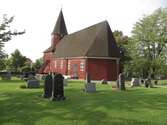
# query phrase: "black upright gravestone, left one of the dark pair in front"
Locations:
[[48, 86]]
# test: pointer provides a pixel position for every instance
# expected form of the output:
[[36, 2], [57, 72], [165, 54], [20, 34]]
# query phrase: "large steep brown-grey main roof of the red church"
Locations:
[[94, 41]]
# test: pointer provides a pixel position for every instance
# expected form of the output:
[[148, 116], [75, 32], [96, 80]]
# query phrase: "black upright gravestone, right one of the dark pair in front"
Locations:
[[58, 88]]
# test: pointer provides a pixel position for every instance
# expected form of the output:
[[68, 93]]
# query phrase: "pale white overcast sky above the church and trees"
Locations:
[[38, 18]]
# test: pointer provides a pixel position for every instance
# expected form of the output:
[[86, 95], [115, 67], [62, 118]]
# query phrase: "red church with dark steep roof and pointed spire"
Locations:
[[92, 50]]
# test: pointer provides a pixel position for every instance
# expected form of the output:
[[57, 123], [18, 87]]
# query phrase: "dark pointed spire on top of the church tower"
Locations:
[[60, 27]]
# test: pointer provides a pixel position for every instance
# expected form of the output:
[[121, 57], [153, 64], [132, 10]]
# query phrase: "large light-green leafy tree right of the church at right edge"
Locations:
[[148, 45]]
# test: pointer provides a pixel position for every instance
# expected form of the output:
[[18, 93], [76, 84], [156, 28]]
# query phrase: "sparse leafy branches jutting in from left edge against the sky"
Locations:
[[6, 33]]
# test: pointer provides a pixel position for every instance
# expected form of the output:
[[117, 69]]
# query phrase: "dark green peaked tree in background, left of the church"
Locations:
[[17, 60]]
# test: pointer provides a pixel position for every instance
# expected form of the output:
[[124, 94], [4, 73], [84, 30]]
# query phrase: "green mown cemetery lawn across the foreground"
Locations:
[[136, 106]]
